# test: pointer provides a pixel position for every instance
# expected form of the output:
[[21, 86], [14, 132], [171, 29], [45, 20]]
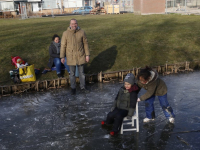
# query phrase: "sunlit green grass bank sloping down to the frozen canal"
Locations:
[[116, 41]]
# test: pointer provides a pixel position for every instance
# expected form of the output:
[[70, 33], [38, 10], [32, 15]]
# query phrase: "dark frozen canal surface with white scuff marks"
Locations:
[[55, 120]]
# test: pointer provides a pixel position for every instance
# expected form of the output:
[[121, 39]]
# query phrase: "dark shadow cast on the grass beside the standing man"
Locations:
[[103, 62]]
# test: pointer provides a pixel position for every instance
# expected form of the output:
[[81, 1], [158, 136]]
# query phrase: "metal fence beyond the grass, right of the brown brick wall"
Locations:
[[183, 6]]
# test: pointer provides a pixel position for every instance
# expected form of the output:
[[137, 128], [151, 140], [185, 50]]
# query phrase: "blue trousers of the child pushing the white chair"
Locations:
[[149, 107]]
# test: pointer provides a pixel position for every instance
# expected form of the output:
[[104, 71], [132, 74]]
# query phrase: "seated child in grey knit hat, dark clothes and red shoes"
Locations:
[[124, 104]]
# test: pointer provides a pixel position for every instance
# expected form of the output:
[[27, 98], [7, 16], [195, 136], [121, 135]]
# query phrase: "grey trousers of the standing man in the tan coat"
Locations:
[[73, 77]]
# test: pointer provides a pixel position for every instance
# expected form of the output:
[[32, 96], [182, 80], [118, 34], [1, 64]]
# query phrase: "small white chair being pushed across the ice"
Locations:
[[131, 121]]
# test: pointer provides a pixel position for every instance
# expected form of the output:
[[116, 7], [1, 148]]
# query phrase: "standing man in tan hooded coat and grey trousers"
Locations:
[[74, 46]]
